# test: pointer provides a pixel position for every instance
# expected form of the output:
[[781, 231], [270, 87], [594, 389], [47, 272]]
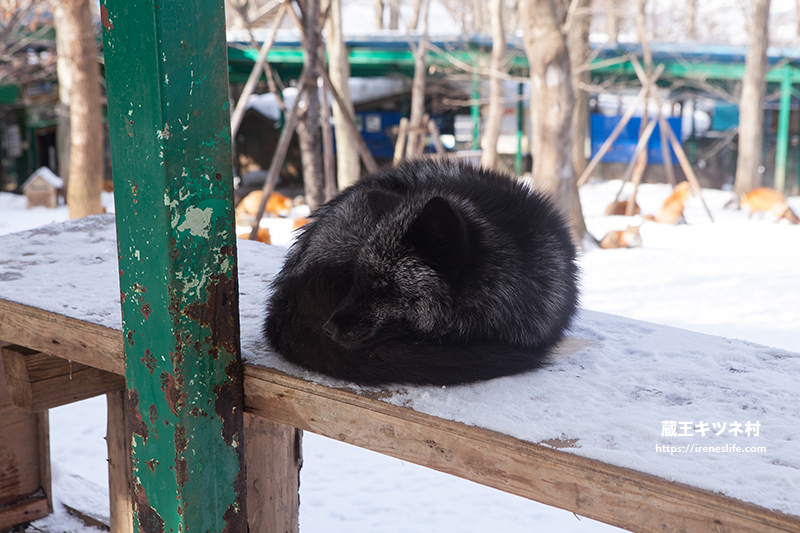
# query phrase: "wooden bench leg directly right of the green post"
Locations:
[[273, 456]]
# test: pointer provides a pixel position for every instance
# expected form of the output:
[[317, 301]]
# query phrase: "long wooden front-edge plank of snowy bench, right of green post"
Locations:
[[591, 488]]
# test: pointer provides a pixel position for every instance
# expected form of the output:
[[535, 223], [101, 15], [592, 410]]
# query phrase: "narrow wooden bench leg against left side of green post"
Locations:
[[119, 464]]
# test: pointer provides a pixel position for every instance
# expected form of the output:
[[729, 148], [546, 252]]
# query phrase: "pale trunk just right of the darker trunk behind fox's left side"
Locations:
[[348, 167]]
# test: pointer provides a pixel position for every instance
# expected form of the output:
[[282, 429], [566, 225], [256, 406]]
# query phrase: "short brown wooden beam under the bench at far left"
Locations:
[[38, 381]]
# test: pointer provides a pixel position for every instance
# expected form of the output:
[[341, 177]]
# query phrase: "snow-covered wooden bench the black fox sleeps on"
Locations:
[[583, 436]]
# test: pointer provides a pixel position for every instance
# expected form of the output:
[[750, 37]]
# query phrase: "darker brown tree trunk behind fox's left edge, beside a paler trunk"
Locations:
[[308, 130]]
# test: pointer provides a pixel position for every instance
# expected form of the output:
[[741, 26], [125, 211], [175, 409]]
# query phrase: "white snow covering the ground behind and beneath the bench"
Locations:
[[736, 278]]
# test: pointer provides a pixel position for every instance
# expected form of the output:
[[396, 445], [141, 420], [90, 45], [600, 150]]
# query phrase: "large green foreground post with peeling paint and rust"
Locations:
[[169, 121]]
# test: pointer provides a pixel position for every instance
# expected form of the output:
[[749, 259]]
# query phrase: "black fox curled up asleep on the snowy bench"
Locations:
[[426, 273]]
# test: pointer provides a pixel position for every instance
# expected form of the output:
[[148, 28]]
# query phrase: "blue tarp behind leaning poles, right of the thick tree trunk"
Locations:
[[622, 149]]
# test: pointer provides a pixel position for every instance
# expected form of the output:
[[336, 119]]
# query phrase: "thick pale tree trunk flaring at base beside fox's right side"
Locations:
[[552, 104]]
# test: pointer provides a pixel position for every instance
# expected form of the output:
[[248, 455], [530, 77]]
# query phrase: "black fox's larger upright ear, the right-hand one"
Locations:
[[439, 234]]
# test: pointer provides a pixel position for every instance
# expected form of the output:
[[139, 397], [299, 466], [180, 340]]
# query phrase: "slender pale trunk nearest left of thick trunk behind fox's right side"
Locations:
[[496, 100]]
